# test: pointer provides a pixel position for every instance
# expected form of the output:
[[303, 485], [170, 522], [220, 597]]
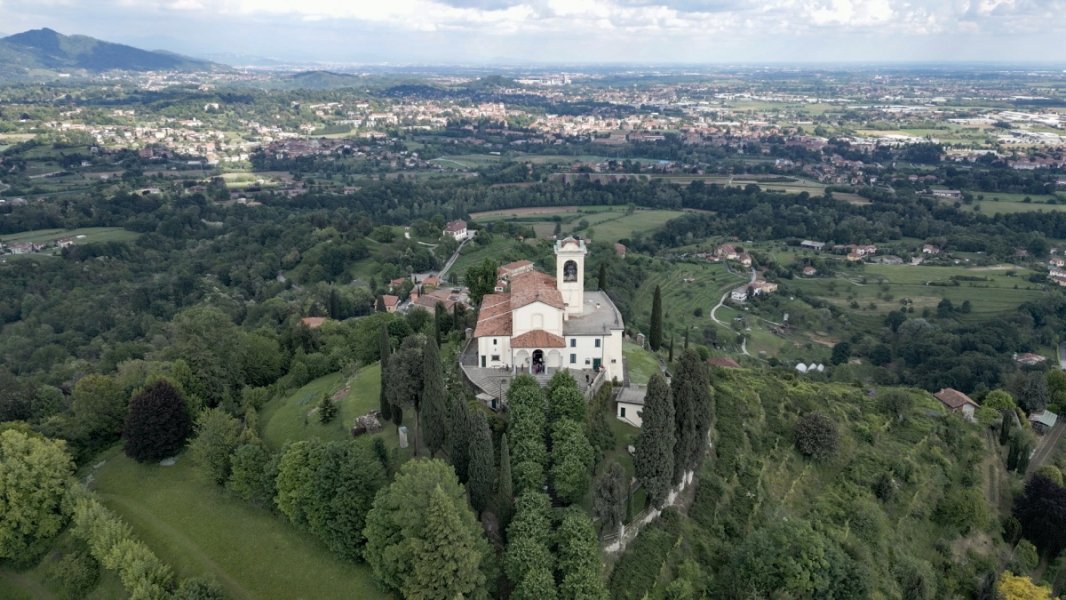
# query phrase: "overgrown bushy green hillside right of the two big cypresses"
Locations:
[[898, 510]]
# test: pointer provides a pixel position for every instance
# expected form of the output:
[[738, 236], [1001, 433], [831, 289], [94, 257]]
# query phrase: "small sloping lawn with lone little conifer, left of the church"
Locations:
[[295, 417]]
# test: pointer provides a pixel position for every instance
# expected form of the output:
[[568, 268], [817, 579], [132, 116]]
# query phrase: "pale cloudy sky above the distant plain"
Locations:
[[534, 33]]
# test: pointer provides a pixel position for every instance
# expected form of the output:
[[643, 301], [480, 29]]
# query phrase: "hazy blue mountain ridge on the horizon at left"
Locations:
[[38, 51]]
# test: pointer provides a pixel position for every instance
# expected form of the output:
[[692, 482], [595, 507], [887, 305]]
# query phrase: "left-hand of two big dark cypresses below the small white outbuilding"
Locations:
[[654, 460]]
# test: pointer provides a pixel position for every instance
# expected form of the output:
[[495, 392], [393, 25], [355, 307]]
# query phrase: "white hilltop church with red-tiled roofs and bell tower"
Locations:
[[543, 323]]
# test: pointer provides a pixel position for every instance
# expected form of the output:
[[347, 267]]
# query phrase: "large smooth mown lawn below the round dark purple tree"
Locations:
[[196, 528]]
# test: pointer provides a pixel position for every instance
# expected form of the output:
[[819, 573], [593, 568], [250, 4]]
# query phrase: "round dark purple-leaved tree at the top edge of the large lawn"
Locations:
[[158, 424]]
